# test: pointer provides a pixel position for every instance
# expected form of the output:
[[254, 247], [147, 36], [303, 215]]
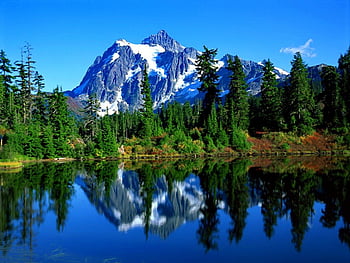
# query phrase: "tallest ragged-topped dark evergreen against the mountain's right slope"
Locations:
[[206, 70]]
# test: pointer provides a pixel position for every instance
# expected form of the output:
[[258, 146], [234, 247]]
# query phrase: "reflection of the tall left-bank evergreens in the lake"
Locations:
[[25, 198]]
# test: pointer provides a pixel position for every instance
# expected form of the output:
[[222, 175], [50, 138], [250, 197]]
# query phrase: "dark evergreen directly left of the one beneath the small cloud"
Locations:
[[271, 107]]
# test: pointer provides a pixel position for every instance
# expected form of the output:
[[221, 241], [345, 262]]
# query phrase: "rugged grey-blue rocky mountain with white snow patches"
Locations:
[[115, 76]]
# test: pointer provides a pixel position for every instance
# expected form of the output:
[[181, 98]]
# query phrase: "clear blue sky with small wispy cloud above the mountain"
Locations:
[[67, 35]]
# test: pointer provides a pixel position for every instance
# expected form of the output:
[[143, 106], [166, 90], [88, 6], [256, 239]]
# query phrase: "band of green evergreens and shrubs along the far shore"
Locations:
[[39, 124]]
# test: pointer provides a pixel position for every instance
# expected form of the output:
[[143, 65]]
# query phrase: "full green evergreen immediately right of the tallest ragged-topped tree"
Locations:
[[237, 99]]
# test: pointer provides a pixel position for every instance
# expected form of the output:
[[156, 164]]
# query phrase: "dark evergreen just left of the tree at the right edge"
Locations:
[[333, 105]]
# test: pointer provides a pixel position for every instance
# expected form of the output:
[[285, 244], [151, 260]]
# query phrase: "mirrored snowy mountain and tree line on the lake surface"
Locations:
[[162, 196]]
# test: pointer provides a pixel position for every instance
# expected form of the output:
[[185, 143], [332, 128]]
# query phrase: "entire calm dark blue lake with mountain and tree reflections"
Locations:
[[243, 210]]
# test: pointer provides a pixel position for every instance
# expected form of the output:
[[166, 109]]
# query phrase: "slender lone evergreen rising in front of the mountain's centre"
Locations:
[[147, 114]]
